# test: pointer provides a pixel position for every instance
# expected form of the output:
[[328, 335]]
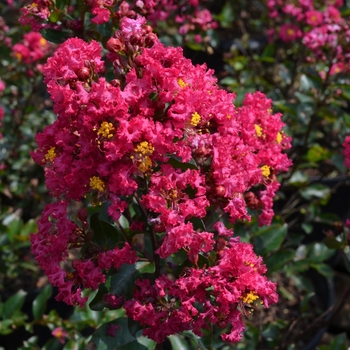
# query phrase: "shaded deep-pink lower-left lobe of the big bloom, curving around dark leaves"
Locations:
[[57, 235]]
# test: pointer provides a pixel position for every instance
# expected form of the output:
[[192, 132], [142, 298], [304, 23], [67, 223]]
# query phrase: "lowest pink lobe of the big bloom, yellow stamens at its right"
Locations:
[[199, 298]]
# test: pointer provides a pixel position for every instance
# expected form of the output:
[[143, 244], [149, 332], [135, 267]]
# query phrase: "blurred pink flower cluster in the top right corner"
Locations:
[[320, 26]]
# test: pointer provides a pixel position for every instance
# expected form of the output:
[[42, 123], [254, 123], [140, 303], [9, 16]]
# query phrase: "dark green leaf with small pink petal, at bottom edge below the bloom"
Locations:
[[122, 340]]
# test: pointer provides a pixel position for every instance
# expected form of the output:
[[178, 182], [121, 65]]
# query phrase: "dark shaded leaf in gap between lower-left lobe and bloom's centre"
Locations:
[[105, 235]]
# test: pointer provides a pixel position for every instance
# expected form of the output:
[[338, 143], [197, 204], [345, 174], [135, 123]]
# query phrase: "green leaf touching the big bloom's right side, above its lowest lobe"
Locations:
[[268, 239]]
